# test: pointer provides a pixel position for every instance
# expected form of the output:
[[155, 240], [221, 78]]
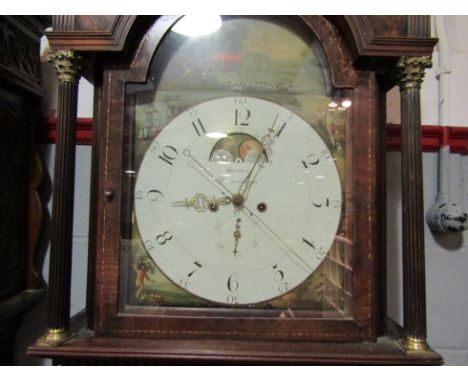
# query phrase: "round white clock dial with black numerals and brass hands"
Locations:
[[238, 200]]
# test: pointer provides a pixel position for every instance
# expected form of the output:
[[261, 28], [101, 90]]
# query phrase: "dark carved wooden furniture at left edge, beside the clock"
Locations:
[[20, 173]]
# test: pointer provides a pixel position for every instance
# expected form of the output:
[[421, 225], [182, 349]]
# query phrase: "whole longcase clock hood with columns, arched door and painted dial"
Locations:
[[238, 190]]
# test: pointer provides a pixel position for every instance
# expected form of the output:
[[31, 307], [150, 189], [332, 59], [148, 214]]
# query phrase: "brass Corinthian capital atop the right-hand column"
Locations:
[[410, 71]]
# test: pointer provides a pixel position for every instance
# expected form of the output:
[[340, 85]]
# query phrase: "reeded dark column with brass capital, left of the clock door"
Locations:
[[68, 66]]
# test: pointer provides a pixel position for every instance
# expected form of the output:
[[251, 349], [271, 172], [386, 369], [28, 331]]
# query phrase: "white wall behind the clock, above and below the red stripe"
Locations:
[[446, 255]]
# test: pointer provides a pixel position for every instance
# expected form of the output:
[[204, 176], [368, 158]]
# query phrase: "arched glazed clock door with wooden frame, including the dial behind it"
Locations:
[[238, 185]]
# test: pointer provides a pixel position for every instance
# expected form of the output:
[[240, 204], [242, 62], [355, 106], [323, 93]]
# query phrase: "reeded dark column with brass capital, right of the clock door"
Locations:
[[410, 76]]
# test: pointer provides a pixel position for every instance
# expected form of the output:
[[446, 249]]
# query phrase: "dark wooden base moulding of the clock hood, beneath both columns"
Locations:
[[89, 350]]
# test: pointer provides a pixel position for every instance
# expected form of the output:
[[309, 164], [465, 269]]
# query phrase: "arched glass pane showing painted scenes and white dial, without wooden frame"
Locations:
[[223, 111]]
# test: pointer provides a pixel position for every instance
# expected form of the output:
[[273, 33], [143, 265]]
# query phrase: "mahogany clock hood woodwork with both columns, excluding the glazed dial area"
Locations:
[[367, 55]]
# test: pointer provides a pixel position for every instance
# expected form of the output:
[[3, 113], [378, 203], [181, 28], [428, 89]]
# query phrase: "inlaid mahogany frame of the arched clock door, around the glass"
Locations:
[[363, 132]]
